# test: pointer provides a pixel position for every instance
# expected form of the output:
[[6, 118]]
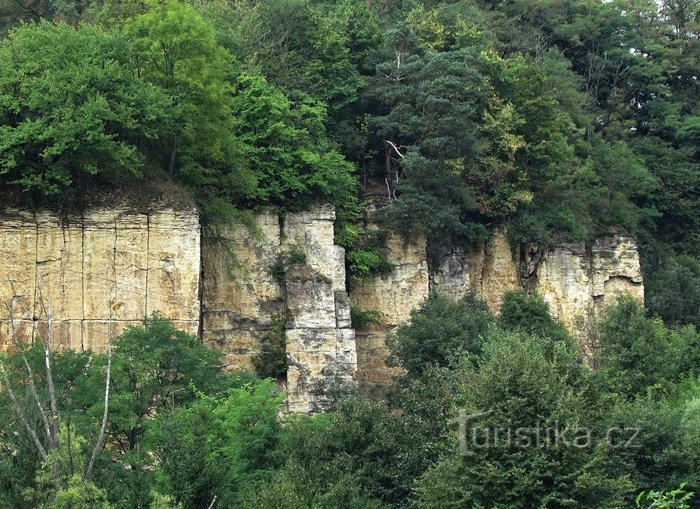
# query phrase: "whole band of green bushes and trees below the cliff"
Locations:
[[203, 434]]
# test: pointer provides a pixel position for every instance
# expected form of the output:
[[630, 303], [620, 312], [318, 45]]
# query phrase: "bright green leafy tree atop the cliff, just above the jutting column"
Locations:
[[286, 147]]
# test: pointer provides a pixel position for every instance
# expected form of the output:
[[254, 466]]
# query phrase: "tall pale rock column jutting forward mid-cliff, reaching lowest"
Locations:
[[320, 341]]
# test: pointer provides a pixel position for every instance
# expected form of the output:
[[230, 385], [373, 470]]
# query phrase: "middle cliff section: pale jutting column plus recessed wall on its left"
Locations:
[[240, 302]]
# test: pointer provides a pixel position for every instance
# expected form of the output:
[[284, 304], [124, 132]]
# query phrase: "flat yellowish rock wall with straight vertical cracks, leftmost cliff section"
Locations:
[[93, 275]]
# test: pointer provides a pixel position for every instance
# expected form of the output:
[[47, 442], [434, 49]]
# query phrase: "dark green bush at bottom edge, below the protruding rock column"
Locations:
[[347, 459]]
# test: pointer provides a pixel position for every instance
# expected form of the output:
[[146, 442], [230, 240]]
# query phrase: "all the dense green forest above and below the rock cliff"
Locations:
[[559, 120]]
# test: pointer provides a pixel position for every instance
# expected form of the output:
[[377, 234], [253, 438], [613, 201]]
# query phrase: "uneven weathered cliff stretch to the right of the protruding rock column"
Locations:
[[576, 283]]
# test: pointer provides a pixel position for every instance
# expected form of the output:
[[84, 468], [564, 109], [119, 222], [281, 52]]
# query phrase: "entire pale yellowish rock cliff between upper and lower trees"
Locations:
[[92, 275]]
